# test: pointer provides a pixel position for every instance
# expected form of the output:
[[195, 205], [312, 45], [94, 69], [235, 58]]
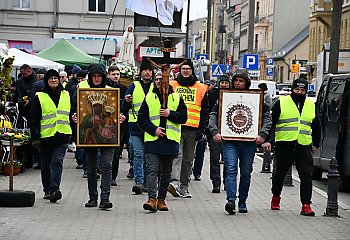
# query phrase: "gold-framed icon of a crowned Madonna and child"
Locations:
[[98, 117]]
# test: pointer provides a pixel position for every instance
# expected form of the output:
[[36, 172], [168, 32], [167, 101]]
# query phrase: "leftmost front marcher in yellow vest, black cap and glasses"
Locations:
[[51, 131]]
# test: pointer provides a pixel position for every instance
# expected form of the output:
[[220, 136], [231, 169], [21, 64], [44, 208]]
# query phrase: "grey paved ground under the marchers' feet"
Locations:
[[202, 217]]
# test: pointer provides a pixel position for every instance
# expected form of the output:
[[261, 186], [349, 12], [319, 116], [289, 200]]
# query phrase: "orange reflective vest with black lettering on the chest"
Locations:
[[192, 96]]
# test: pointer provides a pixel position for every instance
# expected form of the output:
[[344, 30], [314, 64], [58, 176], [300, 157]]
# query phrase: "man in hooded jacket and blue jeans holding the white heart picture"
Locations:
[[242, 151]]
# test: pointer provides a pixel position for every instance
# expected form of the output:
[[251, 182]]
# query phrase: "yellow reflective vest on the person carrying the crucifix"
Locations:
[[173, 130]]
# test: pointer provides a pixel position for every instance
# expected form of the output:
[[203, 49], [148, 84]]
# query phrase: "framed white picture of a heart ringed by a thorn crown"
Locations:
[[240, 114]]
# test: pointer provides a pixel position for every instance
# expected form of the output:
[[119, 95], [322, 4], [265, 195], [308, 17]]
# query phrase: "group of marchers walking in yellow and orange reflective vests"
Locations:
[[162, 140]]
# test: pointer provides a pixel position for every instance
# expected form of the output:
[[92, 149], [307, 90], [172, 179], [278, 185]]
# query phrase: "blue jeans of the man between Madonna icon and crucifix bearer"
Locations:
[[139, 162]]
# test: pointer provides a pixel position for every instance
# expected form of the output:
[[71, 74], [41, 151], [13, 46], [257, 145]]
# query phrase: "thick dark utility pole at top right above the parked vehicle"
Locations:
[[335, 36]]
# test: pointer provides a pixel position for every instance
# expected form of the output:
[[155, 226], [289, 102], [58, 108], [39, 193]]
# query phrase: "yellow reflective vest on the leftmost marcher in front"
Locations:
[[54, 119]]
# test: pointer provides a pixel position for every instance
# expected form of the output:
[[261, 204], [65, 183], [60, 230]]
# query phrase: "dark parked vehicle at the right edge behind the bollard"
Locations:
[[333, 111]]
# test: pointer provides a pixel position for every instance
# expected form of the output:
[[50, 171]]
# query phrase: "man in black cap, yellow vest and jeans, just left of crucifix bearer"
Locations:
[[133, 99]]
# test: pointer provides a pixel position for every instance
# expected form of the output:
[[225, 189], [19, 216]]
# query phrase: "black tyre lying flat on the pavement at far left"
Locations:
[[17, 198]]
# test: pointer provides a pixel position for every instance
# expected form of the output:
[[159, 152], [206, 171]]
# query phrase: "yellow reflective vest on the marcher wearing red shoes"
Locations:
[[293, 126]]
